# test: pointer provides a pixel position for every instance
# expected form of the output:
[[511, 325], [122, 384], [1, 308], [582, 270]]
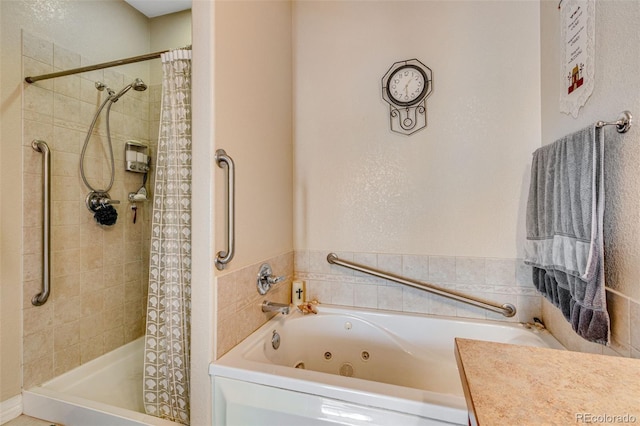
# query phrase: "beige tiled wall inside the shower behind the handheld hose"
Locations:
[[98, 274]]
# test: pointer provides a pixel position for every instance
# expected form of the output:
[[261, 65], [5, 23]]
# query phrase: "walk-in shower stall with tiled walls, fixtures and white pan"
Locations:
[[84, 347]]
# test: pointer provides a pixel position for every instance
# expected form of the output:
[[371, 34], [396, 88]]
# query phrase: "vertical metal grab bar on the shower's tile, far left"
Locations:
[[41, 146]]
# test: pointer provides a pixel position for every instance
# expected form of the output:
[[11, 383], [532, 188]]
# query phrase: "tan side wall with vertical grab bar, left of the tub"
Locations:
[[253, 122]]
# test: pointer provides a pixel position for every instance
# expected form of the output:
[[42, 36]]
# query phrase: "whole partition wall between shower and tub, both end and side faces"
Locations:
[[242, 103]]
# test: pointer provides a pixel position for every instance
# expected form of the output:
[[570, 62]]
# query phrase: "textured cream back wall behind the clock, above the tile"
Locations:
[[455, 188]]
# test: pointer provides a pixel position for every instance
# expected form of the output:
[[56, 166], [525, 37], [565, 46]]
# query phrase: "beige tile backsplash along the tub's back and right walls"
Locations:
[[493, 279]]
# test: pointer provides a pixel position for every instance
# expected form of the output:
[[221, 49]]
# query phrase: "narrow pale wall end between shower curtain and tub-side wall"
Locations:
[[203, 293]]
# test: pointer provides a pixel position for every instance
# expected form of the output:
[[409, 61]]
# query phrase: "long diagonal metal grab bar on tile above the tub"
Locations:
[[508, 310]]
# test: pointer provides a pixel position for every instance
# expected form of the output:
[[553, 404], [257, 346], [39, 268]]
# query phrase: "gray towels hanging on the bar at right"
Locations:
[[564, 241]]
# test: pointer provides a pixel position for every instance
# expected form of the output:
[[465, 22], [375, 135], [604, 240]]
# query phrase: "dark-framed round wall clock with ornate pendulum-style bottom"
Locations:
[[405, 87]]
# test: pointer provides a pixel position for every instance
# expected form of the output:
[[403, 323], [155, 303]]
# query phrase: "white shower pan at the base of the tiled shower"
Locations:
[[106, 391]]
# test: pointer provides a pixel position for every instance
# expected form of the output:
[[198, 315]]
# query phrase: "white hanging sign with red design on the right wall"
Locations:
[[578, 50]]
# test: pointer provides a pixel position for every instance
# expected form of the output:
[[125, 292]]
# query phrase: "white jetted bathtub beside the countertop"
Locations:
[[353, 366]]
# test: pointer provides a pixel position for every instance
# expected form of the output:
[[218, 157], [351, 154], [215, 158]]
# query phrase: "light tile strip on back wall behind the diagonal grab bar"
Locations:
[[498, 280]]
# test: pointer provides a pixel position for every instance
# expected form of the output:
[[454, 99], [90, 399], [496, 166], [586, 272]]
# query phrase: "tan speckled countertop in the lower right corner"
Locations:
[[520, 385]]
